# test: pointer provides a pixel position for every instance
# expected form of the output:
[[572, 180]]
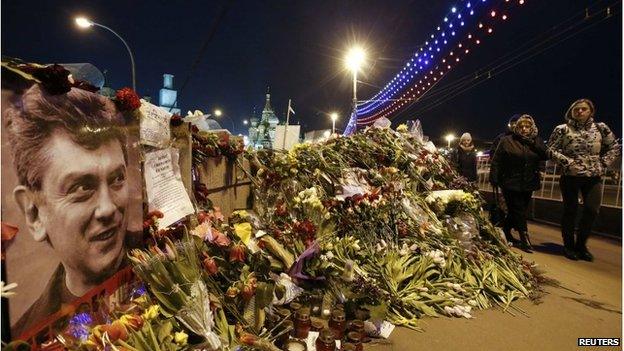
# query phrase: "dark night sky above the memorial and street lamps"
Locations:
[[296, 48]]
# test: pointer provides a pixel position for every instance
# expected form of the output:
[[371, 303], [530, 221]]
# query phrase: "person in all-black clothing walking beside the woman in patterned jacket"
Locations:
[[515, 168]]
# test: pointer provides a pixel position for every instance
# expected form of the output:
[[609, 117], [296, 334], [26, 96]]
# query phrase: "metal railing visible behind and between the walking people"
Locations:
[[611, 185]]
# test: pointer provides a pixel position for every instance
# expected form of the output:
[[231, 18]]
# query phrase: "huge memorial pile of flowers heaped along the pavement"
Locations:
[[373, 228]]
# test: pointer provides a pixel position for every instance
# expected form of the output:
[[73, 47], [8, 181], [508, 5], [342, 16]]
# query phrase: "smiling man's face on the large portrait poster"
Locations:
[[82, 205]]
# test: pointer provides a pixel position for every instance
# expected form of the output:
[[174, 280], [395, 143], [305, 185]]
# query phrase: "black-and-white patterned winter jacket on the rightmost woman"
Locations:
[[584, 150]]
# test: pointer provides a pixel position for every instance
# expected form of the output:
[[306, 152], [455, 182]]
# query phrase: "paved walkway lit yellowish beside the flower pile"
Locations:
[[589, 305]]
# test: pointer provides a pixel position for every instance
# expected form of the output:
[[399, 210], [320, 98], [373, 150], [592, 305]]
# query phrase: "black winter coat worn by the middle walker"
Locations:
[[516, 163]]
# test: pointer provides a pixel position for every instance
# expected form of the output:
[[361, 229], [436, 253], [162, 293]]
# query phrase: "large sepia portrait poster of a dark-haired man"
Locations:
[[71, 184]]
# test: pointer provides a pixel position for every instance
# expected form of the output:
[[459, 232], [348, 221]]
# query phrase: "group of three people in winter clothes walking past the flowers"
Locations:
[[583, 149]]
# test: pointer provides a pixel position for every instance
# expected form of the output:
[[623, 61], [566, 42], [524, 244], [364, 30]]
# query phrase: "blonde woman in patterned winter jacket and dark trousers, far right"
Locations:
[[584, 149]]
